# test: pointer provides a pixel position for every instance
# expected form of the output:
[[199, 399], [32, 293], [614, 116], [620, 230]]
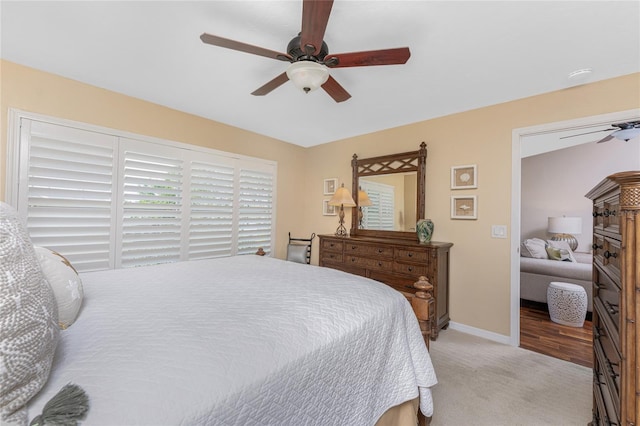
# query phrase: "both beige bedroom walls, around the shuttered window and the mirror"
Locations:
[[480, 288]]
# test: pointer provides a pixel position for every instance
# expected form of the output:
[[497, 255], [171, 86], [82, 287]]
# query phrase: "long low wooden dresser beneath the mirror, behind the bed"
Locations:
[[396, 262]]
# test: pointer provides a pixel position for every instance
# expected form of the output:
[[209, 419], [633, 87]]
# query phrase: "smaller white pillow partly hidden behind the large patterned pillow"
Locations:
[[65, 283]]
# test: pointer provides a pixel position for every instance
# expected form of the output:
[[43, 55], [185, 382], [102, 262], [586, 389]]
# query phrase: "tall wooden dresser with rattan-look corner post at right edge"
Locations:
[[616, 313]]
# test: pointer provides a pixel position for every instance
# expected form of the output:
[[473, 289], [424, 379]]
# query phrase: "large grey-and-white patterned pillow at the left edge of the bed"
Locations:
[[28, 320]]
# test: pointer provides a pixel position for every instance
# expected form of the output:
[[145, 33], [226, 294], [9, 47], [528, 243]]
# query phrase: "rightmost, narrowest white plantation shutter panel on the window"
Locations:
[[255, 210]]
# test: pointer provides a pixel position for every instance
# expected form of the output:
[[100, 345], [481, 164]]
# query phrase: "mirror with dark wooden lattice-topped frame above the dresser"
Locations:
[[390, 194]]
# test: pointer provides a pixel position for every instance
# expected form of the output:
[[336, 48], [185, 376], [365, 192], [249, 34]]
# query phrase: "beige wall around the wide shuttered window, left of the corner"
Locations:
[[34, 91]]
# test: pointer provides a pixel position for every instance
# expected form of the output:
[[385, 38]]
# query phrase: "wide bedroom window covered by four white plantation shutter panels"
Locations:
[[106, 200]]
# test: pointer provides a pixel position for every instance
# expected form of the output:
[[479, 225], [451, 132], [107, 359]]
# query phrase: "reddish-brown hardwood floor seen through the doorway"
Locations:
[[538, 333]]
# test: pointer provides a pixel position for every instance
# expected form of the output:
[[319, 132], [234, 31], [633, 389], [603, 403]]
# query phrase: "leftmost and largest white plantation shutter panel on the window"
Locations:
[[66, 190]]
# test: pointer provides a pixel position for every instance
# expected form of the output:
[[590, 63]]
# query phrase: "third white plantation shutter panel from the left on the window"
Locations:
[[211, 224]]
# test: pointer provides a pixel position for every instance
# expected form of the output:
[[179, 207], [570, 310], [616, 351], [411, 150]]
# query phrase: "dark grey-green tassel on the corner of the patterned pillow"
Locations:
[[66, 408]]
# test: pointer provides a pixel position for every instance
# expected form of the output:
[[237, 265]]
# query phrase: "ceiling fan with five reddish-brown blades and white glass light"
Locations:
[[309, 55]]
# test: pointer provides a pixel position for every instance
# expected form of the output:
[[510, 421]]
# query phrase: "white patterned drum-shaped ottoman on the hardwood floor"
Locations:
[[567, 303]]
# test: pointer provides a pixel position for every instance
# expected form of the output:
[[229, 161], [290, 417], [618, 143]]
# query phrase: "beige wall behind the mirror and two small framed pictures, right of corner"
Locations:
[[480, 265]]
